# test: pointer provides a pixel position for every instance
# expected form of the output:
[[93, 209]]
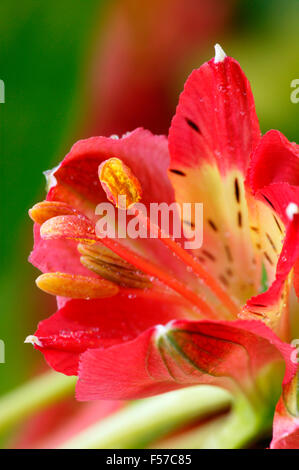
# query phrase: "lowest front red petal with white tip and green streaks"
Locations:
[[182, 354]]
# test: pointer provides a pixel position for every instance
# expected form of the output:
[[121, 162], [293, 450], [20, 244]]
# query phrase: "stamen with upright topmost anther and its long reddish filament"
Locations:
[[198, 269]]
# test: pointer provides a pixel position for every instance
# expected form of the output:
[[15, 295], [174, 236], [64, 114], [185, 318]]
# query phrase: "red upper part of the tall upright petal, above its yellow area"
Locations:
[[215, 121]]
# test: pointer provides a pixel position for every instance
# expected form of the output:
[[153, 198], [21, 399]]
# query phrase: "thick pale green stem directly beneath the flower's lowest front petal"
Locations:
[[146, 420]]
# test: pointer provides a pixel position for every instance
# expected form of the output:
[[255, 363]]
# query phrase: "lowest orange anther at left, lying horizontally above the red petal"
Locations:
[[75, 286]]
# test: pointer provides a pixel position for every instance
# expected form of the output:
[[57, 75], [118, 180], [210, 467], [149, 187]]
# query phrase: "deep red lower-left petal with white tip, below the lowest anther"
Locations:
[[83, 324]]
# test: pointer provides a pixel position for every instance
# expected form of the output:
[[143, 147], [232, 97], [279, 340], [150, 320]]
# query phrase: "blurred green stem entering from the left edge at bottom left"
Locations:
[[33, 396]]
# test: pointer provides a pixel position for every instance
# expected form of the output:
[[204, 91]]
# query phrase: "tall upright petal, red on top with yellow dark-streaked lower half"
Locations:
[[211, 138]]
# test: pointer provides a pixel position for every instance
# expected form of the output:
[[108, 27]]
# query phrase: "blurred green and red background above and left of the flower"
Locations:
[[74, 69]]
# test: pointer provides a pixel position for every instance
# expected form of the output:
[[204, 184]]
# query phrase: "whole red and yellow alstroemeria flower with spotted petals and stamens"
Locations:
[[142, 321]]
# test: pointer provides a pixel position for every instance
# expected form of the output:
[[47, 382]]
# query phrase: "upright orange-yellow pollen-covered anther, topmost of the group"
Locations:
[[119, 183]]
